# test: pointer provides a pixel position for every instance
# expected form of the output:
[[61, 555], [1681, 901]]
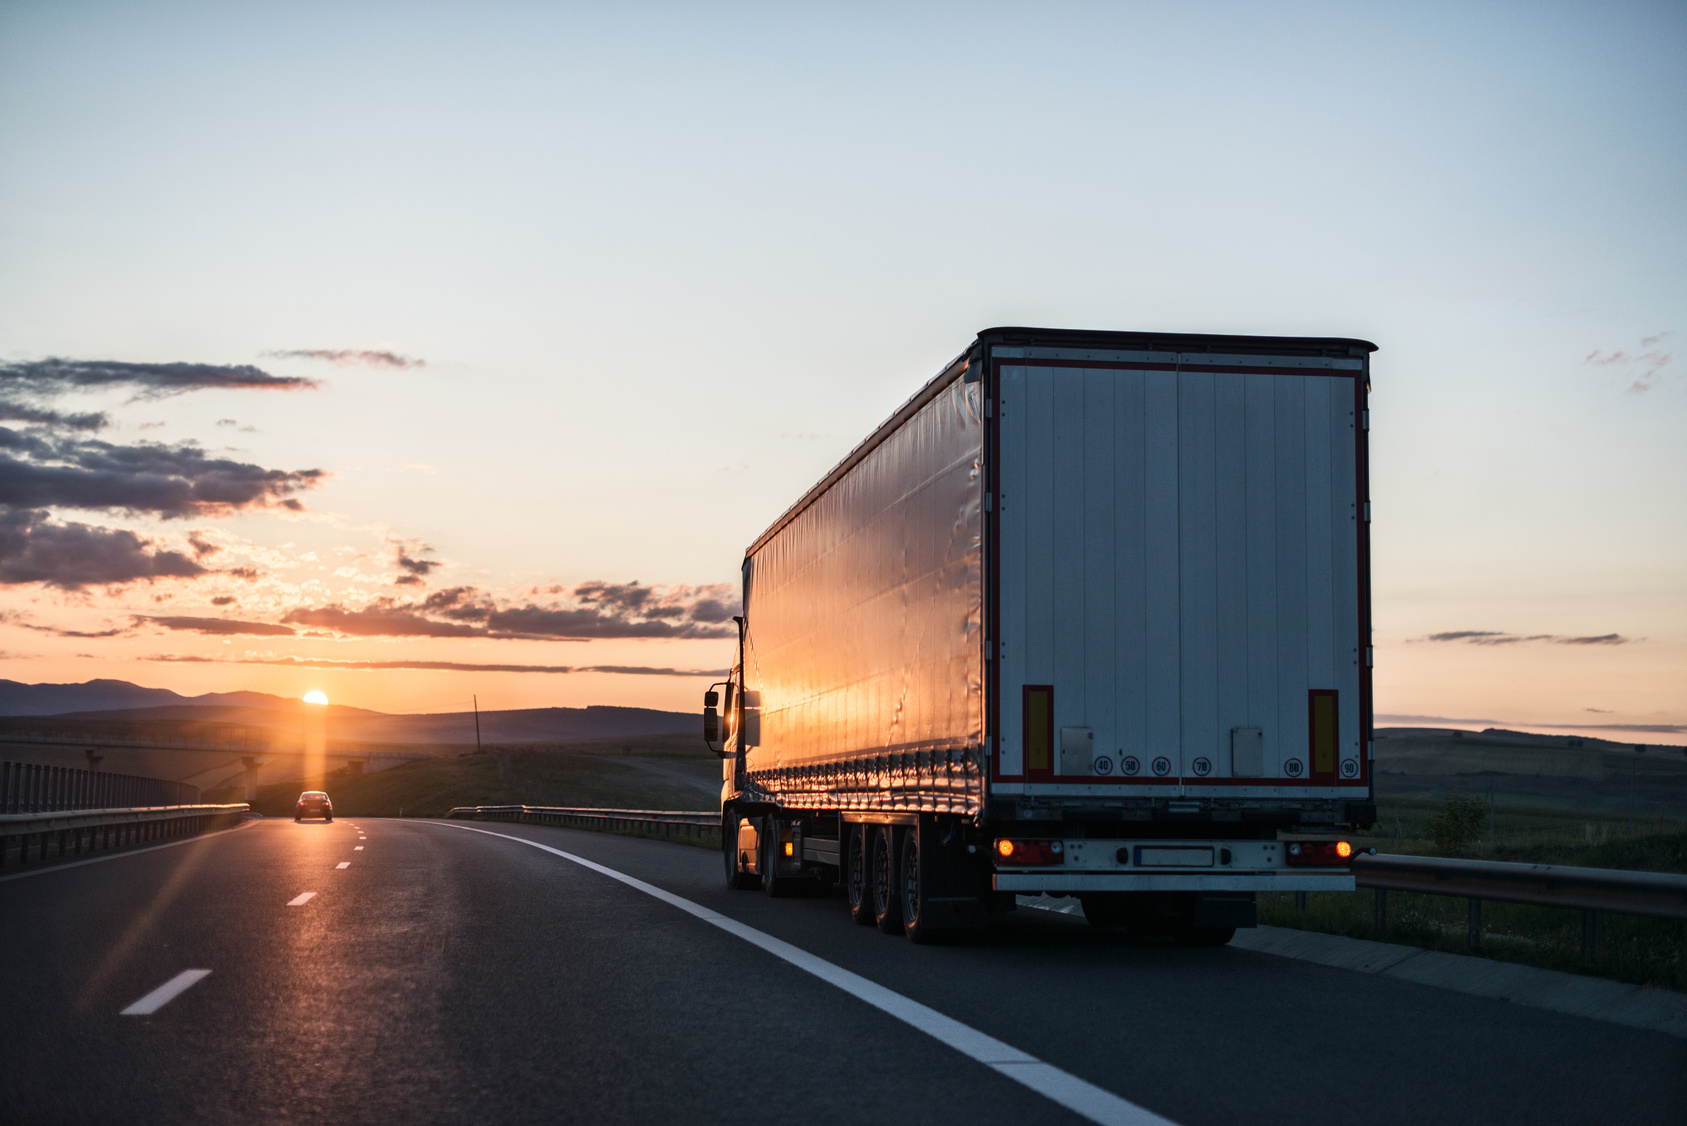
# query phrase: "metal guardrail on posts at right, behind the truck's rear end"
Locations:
[[1592, 891]]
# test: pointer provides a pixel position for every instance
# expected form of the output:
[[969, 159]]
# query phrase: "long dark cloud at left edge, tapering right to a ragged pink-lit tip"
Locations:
[[40, 472]]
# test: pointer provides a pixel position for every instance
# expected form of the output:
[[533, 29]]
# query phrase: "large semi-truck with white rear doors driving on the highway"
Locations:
[[1089, 617]]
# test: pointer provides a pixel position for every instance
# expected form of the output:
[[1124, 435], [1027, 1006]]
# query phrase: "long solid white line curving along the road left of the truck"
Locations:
[[1052, 1083]]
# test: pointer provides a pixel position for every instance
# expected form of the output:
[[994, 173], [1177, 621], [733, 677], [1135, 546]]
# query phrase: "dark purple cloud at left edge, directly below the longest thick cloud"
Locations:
[[72, 556]]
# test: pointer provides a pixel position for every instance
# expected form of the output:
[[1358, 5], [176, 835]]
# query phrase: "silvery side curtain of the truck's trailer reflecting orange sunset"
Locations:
[[866, 612]]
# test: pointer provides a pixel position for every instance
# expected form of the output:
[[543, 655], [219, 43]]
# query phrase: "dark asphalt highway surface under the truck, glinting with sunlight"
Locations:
[[455, 977]]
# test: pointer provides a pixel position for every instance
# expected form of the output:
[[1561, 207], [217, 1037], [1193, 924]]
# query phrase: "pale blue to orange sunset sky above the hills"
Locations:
[[418, 354]]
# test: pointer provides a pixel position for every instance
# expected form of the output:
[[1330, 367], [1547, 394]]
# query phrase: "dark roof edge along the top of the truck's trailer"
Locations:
[[1067, 338]]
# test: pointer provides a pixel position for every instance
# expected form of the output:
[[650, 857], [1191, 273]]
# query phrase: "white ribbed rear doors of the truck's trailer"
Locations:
[[1178, 565]]
